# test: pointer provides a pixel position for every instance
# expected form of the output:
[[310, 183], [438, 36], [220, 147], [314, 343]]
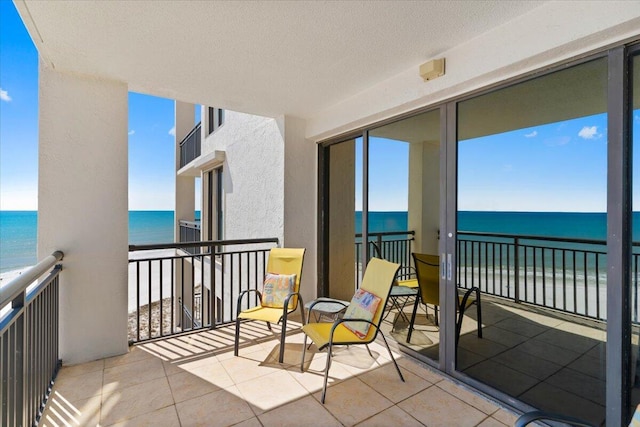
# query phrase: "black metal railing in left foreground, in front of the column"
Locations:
[[29, 359]]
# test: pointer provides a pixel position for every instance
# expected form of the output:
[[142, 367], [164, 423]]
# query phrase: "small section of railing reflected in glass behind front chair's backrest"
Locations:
[[394, 246]]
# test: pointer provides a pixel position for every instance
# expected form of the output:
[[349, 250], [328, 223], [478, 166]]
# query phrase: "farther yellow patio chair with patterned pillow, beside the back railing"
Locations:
[[280, 294]]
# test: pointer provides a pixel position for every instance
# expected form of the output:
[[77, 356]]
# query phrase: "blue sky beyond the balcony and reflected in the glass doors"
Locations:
[[556, 167]]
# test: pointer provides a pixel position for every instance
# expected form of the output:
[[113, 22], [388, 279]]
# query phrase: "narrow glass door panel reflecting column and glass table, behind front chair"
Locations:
[[403, 217]]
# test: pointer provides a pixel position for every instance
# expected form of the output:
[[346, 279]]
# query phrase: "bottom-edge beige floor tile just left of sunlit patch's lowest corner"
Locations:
[[220, 408]]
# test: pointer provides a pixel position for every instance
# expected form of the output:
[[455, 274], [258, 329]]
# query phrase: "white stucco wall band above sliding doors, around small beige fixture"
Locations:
[[549, 34]]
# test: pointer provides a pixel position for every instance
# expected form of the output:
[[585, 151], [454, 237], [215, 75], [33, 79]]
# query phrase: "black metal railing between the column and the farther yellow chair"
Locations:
[[178, 291]]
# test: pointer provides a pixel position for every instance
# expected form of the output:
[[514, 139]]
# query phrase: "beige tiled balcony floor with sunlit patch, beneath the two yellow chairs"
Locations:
[[194, 380]]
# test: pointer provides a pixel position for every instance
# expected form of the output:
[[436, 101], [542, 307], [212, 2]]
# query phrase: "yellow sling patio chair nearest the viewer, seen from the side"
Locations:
[[361, 322]]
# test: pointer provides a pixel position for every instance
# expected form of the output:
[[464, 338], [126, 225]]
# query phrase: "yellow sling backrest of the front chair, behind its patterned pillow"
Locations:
[[378, 279]]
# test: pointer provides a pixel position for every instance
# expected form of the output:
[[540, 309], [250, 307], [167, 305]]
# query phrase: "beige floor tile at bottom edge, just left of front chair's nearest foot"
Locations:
[[302, 412]]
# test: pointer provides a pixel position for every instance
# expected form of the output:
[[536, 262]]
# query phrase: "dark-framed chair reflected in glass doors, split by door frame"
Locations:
[[428, 272]]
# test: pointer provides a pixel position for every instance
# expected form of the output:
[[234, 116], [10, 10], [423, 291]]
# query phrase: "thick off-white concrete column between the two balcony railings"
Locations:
[[83, 208]]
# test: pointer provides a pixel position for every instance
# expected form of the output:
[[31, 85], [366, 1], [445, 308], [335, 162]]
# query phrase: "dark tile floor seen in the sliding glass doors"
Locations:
[[549, 360]]
